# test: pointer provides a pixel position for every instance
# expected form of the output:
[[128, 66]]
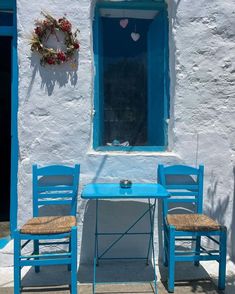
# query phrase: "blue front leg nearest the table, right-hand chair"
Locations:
[[171, 261]]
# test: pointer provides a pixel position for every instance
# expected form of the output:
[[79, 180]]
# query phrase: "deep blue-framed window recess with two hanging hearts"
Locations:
[[131, 95]]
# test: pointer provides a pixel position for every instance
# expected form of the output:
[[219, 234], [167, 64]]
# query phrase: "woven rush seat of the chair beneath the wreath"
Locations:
[[49, 225]]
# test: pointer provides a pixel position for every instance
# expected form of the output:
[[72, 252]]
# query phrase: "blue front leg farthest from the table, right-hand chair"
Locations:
[[222, 262]]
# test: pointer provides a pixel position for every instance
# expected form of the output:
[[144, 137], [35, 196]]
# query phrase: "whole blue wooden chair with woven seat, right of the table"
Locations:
[[185, 185]]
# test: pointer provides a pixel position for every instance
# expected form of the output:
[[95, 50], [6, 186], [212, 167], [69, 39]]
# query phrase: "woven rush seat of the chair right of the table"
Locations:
[[192, 222]]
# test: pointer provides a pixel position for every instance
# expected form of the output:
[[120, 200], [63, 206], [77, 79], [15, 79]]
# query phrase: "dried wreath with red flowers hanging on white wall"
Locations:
[[44, 28]]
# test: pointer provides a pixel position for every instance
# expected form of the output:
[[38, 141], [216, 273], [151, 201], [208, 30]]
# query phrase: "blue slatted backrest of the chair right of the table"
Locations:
[[184, 183]]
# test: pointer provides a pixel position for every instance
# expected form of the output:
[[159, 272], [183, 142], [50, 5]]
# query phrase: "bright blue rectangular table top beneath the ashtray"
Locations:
[[113, 190]]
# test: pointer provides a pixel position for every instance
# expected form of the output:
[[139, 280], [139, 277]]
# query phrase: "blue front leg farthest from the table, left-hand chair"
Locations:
[[17, 267]]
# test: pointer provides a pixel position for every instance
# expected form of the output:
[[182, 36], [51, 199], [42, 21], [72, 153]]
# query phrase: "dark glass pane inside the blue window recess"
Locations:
[[125, 81]]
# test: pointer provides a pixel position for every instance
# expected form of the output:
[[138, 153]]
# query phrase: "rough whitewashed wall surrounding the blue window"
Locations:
[[55, 105]]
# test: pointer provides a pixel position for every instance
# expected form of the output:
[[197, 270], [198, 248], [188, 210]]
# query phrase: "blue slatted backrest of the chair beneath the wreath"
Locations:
[[55, 185]]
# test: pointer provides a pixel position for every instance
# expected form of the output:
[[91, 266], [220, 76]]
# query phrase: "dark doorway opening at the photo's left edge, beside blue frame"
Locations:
[[5, 126]]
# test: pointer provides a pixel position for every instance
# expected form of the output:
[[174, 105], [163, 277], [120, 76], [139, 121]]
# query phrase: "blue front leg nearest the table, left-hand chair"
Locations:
[[74, 260]]
